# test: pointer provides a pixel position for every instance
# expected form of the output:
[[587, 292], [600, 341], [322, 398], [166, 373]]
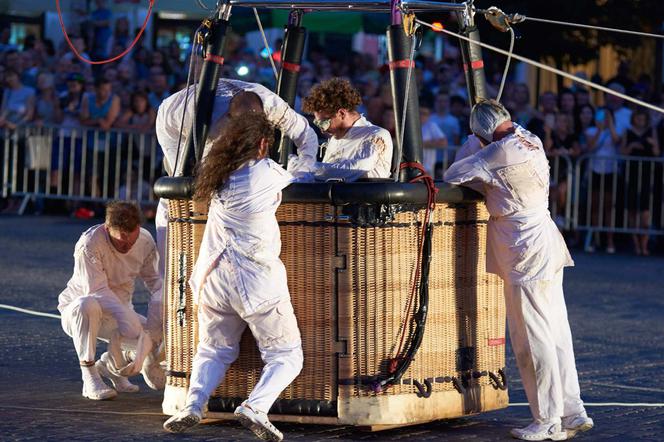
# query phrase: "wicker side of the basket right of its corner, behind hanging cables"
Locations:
[[466, 308]]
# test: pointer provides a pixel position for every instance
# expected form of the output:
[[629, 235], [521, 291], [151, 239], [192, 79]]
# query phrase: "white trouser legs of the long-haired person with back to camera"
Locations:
[[222, 320]]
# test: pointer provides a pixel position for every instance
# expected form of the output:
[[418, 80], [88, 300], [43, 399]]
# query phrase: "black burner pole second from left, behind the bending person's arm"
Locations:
[[289, 72]]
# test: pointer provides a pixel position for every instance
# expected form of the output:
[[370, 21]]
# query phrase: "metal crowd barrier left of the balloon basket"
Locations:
[[82, 164]]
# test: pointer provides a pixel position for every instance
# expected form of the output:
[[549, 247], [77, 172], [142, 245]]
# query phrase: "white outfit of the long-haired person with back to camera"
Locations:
[[239, 280]]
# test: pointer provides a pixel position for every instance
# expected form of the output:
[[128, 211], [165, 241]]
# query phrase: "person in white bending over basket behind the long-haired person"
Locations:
[[172, 134]]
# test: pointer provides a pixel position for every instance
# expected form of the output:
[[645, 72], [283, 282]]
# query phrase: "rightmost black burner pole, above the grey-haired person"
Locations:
[[471, 53]]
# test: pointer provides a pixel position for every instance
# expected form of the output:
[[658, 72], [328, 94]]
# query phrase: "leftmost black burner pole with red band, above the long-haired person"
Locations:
[[213, 59]]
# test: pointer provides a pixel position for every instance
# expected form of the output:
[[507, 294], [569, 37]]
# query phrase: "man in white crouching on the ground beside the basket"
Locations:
[[97, 303]]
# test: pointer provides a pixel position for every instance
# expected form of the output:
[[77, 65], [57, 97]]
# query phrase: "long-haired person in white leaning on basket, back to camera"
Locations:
[[238, 278]]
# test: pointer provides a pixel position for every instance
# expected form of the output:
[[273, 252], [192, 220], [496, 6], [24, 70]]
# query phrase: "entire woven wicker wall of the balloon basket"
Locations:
[[372, 270]]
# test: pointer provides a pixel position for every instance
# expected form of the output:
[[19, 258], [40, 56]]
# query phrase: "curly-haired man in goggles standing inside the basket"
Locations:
[[356, 148]]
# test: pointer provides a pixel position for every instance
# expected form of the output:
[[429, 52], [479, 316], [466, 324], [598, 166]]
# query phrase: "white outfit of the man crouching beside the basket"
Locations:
[[97, 301]]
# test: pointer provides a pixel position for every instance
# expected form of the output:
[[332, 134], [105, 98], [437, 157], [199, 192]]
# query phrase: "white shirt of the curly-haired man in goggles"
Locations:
[[365, 151]]
